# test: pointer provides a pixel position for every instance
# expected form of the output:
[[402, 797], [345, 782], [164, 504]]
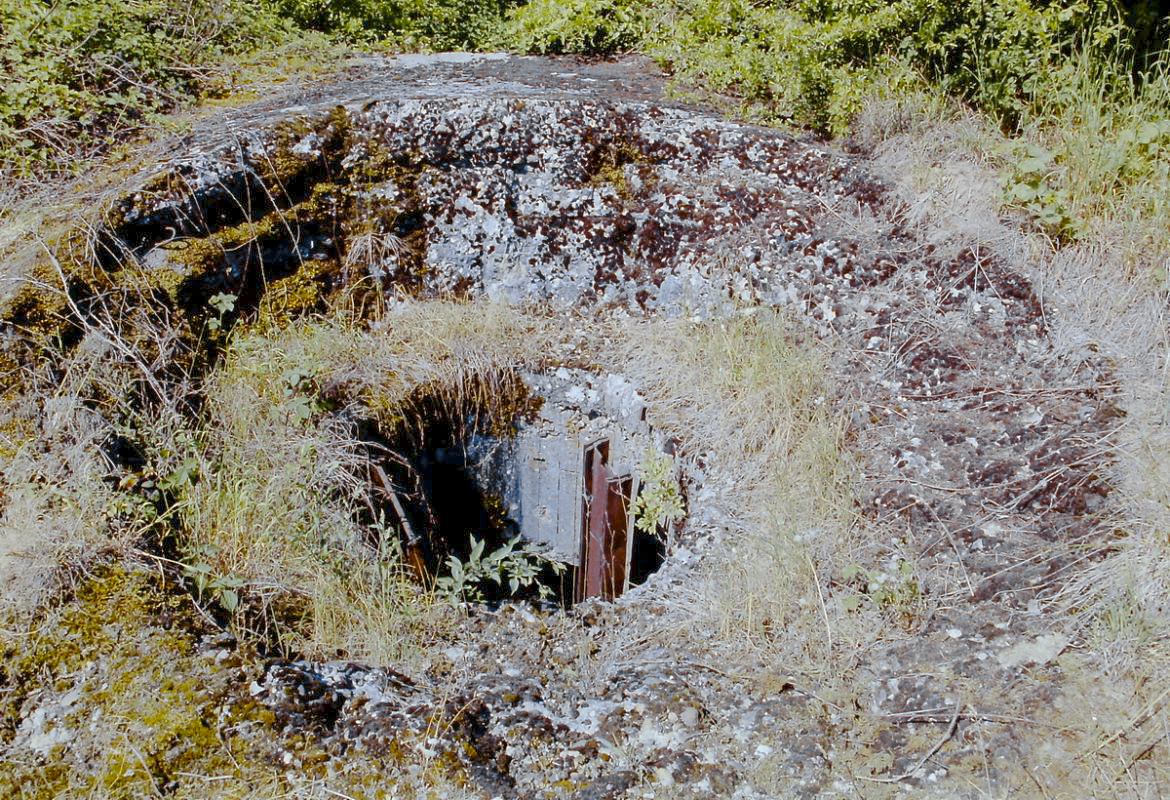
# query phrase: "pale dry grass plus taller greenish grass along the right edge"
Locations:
[[1106, 734]]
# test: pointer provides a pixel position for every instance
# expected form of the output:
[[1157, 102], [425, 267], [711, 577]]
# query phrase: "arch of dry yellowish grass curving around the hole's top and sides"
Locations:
[[281, 482]]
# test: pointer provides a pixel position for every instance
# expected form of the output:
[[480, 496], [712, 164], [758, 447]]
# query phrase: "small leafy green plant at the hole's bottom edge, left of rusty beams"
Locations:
[[518, 569]]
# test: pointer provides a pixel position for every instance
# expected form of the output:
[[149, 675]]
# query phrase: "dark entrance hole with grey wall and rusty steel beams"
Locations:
[[474, 465]]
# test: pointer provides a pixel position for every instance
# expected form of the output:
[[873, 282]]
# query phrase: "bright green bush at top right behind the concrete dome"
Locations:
[[810, 61]]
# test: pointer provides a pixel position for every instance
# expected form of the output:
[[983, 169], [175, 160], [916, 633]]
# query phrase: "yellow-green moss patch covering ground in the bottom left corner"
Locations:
[[153, 713]]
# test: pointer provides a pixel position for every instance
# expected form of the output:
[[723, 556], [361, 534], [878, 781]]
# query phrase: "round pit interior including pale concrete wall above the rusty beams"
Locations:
[[554, 459]]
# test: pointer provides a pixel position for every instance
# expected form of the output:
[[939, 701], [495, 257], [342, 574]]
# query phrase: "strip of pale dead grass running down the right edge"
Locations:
[[1106, 734]]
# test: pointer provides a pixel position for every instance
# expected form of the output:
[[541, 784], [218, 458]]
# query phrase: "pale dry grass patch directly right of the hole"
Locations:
[[752, 404]]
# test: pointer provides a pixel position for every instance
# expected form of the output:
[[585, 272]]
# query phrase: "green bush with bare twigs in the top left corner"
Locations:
[[79, 71]]
